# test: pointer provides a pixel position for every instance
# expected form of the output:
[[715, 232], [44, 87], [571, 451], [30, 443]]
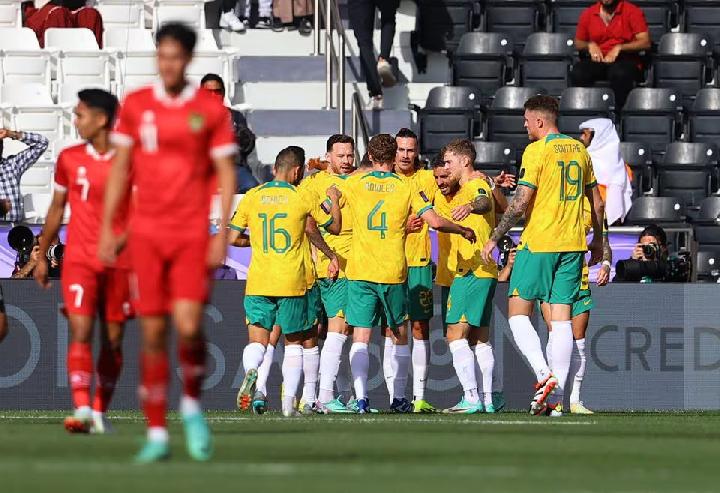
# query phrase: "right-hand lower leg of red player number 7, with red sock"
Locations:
[[107, 371]]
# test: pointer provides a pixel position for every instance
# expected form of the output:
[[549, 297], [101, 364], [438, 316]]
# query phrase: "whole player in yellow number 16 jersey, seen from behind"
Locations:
[[276, 214]]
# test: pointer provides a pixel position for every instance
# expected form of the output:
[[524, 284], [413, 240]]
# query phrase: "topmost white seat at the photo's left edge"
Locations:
[[21, 59]]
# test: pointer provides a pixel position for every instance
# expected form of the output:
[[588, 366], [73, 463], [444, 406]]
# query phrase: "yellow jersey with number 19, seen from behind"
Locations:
[[559, 169]]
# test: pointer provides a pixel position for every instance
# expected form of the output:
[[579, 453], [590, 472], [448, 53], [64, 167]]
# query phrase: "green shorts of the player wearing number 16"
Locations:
[[289, 312]]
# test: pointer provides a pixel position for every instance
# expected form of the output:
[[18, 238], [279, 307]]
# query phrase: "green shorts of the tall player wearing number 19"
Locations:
[[549, 277]]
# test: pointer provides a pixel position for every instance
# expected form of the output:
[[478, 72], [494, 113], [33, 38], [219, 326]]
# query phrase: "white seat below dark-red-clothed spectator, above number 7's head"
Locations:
[[79, 58]]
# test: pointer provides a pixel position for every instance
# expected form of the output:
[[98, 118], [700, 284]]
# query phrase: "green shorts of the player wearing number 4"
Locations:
[[369, 302]]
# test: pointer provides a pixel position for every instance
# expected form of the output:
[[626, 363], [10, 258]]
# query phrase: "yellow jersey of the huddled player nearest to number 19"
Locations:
[[465, 256]]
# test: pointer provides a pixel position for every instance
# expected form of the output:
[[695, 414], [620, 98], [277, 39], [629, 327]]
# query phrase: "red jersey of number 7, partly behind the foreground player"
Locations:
[[82, 172]]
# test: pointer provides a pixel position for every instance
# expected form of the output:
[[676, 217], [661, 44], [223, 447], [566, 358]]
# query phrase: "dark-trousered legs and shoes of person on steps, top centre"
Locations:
[[376, 71]]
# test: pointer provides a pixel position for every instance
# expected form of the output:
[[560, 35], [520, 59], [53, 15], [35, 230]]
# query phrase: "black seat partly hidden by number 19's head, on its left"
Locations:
[[504, 120]]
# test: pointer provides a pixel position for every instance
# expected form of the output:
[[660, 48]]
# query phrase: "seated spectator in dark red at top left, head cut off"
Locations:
[[61, 13]]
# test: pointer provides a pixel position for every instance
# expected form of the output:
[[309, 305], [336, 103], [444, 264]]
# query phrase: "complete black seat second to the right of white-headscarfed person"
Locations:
[[687, 170]]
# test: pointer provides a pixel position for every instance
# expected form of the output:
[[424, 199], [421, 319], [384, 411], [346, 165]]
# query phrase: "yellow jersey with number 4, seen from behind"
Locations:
[[380, 203]]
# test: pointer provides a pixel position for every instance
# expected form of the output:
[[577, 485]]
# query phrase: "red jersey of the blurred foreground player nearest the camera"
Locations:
[[173, 141]]
